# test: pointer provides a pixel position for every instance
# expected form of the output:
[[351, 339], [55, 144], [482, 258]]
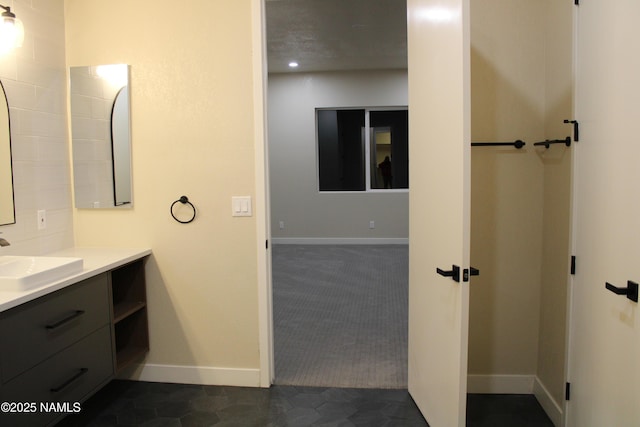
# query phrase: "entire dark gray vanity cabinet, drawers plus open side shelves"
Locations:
[[61, 348]]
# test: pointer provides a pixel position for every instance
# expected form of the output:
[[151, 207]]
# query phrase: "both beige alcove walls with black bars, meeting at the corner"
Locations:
[[521, 89]]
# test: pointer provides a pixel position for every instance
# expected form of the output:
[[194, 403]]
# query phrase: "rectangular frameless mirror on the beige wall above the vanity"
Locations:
[[101, 137]]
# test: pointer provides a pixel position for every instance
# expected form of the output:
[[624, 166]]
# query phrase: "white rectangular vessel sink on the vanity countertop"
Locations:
[[19, 273]]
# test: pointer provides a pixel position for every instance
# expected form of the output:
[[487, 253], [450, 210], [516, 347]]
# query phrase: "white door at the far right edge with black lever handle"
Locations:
[[604, 361]]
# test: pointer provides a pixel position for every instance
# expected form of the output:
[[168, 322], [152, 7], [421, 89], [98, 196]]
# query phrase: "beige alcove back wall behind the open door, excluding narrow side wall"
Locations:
[[507, 92]]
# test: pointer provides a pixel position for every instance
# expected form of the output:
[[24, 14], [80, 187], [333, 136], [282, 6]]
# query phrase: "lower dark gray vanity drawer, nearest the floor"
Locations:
[[68, 376]]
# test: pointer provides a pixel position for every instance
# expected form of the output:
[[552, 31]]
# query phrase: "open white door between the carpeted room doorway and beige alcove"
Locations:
[[439, 131]]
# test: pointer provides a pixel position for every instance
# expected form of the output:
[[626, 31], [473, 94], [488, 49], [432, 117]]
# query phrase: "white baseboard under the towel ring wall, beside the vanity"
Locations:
[[194, 375]]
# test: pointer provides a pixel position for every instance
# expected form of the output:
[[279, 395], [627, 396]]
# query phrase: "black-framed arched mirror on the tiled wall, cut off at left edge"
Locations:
[[7, 207]]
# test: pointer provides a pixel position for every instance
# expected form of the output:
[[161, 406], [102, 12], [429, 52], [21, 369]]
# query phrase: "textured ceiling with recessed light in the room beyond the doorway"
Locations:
[[329, 35]]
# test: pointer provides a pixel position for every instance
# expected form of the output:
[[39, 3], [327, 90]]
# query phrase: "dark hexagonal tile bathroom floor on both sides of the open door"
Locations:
[[131, 403]]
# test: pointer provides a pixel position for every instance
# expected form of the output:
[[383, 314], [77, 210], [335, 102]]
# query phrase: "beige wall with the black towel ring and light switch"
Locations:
[[192, 134]]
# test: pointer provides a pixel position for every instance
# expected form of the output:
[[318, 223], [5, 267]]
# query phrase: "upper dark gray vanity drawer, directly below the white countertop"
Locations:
[[51, 323]]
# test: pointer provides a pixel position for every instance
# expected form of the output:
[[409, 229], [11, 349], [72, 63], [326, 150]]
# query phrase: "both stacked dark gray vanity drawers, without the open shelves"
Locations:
[[56, 348]]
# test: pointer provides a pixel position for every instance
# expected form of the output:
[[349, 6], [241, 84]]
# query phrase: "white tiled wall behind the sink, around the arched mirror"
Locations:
[[35, 80]]
